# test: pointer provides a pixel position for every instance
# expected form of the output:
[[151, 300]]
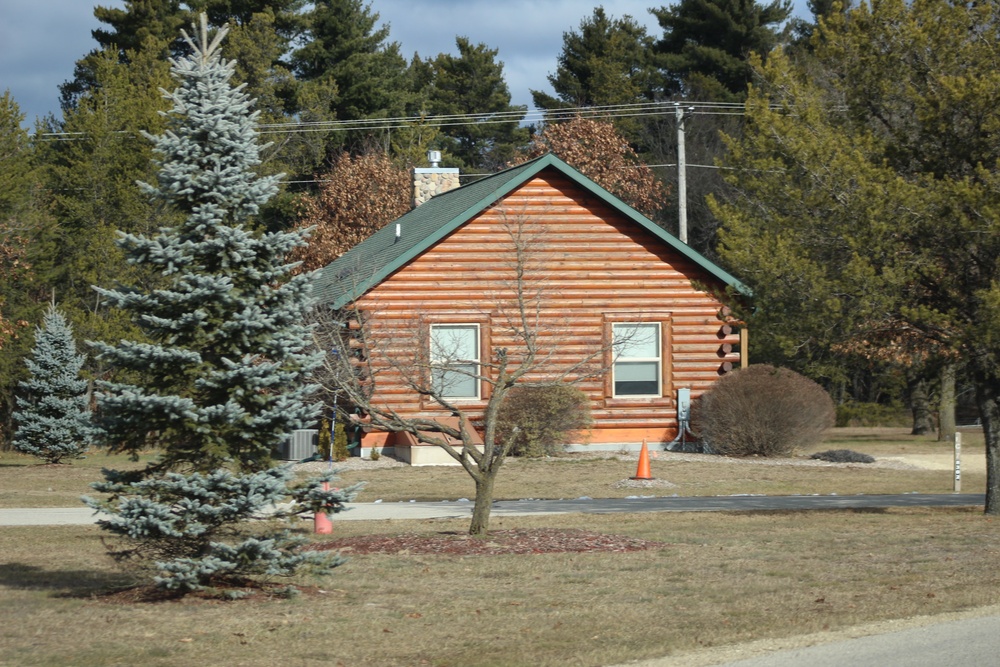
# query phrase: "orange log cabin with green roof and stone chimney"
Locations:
[[618, 305]]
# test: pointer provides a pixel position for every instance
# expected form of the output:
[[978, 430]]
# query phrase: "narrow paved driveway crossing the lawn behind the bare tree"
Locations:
[[463, 509]]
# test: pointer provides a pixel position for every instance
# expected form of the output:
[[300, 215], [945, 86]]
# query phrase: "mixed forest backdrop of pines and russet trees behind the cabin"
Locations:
[[347, 115]]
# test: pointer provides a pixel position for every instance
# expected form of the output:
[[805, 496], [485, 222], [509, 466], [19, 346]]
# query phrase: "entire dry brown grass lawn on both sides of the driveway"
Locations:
[[718, 579]]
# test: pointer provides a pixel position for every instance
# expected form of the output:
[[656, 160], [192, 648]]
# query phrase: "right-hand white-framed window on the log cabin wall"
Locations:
[[637, 367]]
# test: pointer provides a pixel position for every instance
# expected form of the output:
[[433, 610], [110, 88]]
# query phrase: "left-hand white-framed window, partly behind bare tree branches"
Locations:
[[455, 360]]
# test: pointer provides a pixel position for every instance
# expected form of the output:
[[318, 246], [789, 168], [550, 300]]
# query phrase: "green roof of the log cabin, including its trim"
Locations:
[[373, 260]]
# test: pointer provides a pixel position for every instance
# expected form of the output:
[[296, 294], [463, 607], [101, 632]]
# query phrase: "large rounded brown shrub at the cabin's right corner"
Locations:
[[762, 411]]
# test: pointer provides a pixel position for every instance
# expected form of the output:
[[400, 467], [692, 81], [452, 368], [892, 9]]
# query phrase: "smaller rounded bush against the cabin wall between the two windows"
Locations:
[[541, 419]]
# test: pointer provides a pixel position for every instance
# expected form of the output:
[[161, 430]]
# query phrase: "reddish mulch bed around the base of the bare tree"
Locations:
[[498, 542]]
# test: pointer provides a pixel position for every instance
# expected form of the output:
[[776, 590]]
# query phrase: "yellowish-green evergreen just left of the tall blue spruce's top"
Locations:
[[91, 181]]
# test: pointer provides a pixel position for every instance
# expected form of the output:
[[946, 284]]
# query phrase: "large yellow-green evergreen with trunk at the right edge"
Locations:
[[868, 191]]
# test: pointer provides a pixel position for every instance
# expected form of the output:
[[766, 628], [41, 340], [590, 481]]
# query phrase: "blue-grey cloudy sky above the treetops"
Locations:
[[41, 40]]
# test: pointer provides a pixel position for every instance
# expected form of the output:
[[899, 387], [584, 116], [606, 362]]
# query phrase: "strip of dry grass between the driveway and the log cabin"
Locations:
[[25, 483]]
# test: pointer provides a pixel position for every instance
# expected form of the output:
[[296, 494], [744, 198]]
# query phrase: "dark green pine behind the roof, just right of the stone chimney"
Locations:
[[473, 83]]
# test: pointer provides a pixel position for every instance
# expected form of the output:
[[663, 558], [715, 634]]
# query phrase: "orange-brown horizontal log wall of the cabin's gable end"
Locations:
[[590, 267]]
